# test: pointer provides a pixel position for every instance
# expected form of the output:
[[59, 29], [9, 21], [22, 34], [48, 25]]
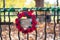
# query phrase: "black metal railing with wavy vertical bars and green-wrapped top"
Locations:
[[4, 10]]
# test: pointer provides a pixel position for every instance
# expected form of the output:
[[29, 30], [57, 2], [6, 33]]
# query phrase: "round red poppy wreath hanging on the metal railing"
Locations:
[[26, 14]]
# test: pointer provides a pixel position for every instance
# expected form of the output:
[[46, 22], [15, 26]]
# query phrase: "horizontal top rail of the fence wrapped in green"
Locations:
[[37, 9]]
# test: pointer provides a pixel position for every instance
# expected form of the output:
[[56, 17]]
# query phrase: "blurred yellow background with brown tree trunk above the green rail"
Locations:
[[29, 3]]
